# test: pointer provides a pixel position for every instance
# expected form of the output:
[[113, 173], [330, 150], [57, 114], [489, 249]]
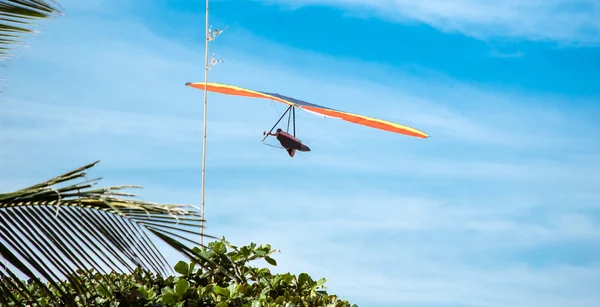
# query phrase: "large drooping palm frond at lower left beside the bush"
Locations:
[[54, 231]]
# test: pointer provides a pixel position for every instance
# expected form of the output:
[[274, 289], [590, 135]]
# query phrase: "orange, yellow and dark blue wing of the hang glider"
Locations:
[[313, 108]]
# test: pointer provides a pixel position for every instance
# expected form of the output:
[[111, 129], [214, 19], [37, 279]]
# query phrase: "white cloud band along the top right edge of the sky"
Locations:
[[571, 22]]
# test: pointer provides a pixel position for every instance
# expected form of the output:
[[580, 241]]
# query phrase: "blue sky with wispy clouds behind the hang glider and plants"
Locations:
[[499, 207]]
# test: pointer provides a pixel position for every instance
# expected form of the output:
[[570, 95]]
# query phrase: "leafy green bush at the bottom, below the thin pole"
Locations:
[[196, 284]]
